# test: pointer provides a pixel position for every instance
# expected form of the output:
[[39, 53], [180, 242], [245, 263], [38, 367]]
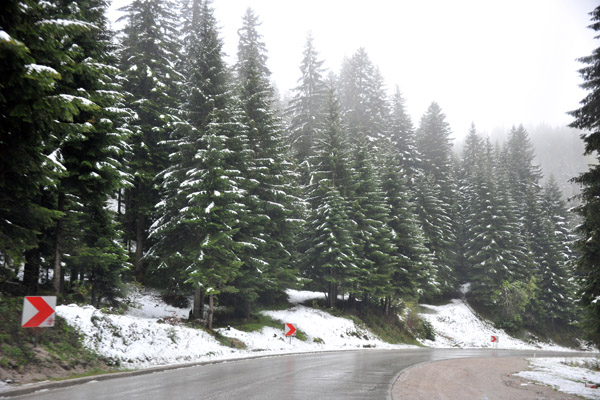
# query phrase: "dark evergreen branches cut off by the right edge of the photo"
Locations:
[[586, 117]]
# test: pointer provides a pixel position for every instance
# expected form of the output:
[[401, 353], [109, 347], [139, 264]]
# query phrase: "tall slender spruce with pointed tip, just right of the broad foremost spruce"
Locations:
[[267, 266]]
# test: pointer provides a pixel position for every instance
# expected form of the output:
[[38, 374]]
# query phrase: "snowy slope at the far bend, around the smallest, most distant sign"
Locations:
[[456, 325]]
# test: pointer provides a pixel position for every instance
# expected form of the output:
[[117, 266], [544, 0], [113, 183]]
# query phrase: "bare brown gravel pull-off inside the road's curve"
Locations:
[[472, 379]]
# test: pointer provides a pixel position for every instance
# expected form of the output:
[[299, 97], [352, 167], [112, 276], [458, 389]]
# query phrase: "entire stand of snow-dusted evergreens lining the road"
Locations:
[[144, 156]]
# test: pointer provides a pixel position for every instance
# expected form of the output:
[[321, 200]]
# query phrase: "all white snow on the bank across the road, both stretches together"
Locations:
[[152, 333]]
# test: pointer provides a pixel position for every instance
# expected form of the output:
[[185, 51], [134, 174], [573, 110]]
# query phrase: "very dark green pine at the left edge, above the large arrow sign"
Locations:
[[27, 164]]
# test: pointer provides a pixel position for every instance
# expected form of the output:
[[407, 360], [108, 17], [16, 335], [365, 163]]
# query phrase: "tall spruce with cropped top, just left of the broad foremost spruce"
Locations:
[[148, 59]]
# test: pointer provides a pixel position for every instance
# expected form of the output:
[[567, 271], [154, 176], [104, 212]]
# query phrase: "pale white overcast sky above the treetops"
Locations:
[[494, 63]]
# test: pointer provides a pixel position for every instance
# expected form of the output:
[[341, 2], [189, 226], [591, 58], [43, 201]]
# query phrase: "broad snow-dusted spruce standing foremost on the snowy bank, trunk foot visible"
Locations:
[[203, 187]]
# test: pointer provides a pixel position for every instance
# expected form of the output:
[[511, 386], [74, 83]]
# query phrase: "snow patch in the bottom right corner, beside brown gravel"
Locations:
[[565, 375]]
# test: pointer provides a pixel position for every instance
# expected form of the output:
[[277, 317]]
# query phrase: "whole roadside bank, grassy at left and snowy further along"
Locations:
[[151, 333]]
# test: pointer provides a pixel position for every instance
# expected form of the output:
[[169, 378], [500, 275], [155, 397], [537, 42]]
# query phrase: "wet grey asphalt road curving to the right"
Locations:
[[365, 374]]
